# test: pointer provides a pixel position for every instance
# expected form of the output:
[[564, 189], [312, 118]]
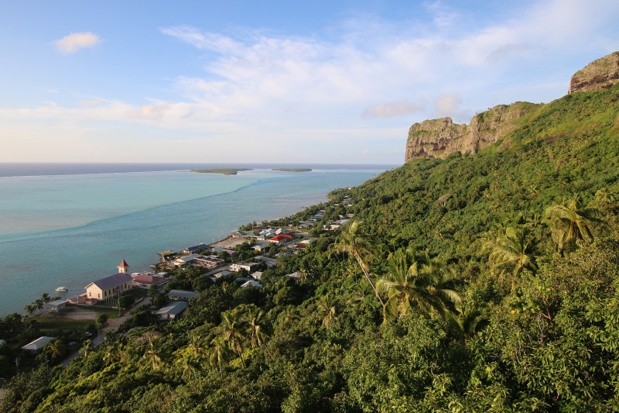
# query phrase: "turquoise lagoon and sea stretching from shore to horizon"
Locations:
[[69, 224]]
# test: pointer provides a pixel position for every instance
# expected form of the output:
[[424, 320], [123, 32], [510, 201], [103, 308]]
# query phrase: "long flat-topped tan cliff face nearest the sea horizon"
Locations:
[[438, 138]]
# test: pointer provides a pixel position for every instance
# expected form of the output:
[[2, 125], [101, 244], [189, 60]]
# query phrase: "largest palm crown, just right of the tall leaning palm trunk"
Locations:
[[412, 284]]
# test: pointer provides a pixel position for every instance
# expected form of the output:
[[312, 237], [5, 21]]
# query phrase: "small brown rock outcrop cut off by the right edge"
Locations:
[[600, 74]]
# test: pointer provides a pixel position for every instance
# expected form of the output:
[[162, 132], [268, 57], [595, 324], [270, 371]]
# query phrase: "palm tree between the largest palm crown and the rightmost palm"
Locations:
[[513, 251]]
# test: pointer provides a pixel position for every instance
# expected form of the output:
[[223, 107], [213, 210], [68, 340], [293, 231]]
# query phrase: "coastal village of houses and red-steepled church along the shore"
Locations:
[[242, 257]]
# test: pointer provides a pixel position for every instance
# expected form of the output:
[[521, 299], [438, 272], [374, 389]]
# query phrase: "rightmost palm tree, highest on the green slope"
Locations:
[[571, 222]]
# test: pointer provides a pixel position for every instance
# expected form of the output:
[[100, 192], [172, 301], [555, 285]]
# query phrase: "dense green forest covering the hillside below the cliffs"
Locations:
[[487, 282]]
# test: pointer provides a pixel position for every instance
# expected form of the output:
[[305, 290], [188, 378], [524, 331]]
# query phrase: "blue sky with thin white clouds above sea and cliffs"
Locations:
[[272, 81]]
